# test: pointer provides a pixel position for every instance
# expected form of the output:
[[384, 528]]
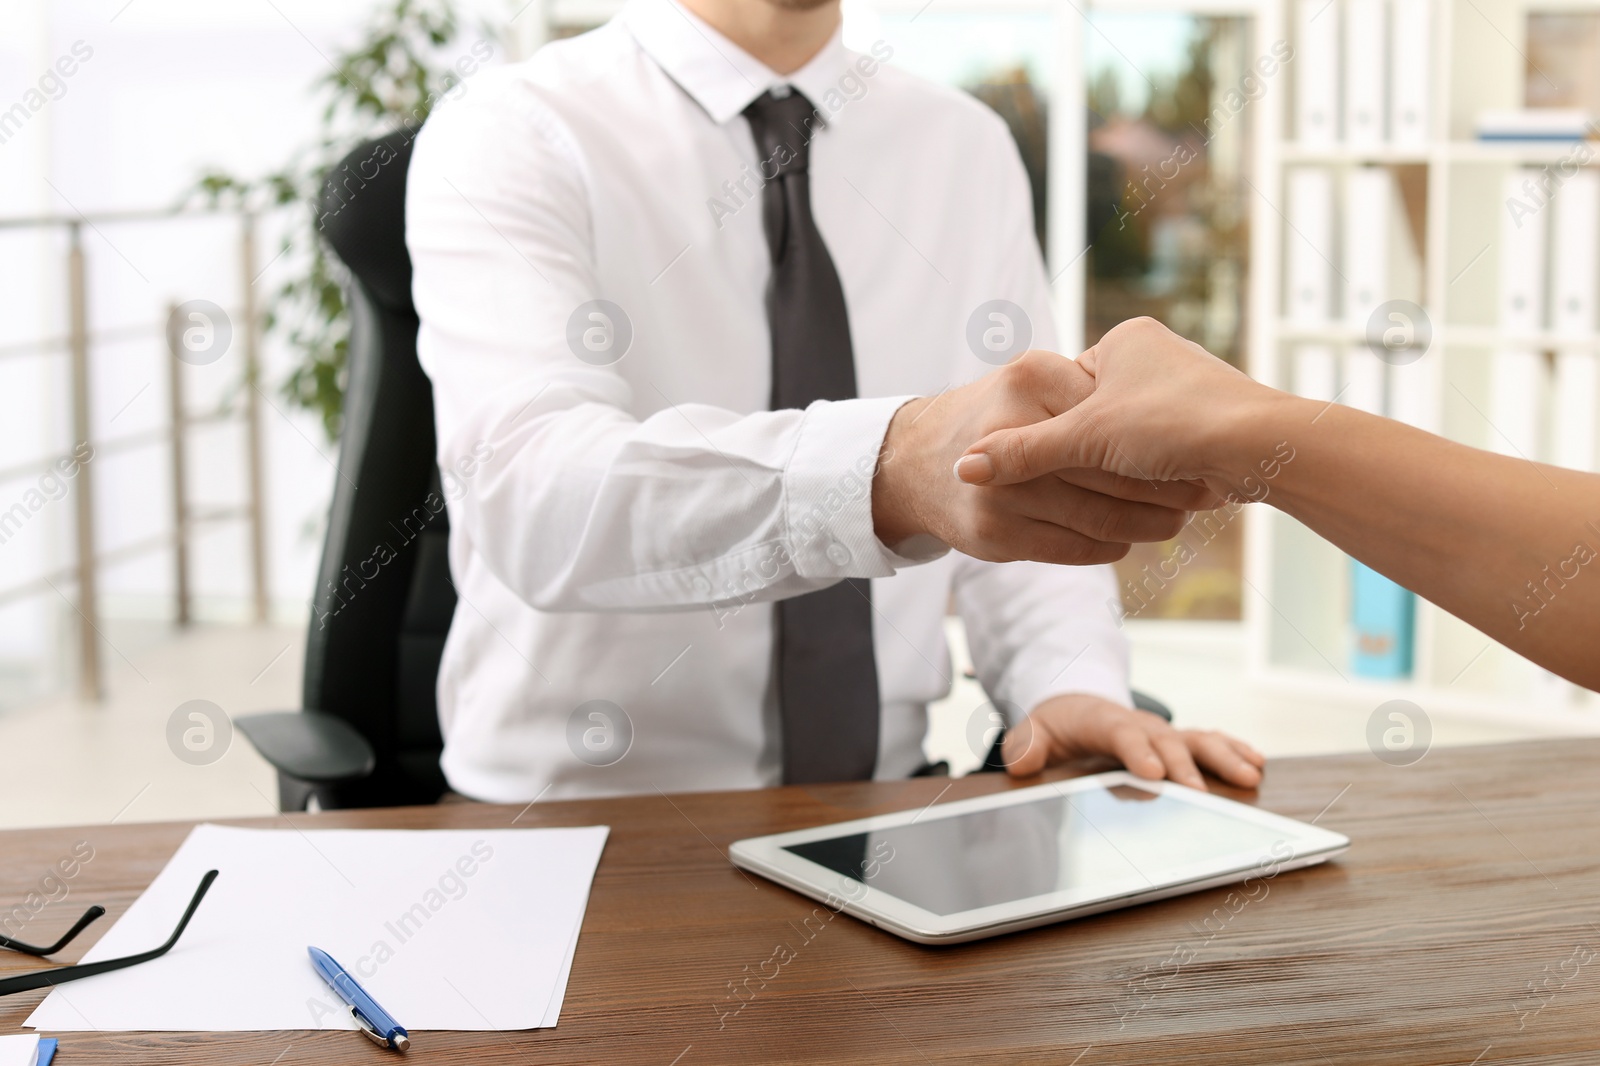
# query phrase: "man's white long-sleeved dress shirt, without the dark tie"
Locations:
[[622, 527]]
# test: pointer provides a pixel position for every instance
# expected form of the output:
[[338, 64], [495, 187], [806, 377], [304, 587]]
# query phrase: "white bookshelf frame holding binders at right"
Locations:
[[1297, 595]]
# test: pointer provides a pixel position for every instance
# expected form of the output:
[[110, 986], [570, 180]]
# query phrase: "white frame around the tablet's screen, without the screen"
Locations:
[[769, 857]]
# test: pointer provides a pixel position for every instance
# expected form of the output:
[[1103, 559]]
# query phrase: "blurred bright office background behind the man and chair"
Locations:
[[1262, 175]]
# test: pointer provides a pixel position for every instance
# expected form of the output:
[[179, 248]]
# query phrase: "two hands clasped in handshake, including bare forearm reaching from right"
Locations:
[[1071, 462]]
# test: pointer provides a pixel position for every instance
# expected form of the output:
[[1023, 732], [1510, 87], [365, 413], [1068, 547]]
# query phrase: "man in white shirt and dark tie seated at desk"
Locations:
[[686, 286]]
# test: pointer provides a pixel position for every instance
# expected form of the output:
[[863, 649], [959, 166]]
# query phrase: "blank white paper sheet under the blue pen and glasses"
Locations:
[[449, 929]]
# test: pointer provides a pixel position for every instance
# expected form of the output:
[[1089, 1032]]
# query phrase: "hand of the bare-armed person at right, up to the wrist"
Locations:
[[1162, 411]]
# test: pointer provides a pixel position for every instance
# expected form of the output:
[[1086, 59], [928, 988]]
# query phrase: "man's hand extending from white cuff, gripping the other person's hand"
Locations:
[[1081, 518]]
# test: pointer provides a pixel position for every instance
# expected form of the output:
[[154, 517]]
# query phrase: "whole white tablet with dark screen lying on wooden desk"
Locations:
[[1015, 860]]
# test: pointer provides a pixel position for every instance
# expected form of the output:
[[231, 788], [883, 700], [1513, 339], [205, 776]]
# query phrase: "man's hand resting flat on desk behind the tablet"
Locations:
[[1079, 726]]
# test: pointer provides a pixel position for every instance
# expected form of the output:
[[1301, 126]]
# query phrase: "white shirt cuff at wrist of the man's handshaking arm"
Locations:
[[828, 494]]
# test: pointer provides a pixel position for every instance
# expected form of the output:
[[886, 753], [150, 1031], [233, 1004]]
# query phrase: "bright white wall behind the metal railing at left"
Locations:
[[169, 89]]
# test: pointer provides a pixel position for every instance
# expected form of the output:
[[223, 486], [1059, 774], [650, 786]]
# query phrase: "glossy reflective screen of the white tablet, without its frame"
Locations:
[[1070, 841]]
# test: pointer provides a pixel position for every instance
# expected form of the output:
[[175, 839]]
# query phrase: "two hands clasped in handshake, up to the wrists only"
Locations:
[[1071, 462]]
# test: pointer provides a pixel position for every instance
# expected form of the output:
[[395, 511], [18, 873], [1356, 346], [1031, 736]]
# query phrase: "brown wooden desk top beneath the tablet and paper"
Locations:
[[1473, 878]]
